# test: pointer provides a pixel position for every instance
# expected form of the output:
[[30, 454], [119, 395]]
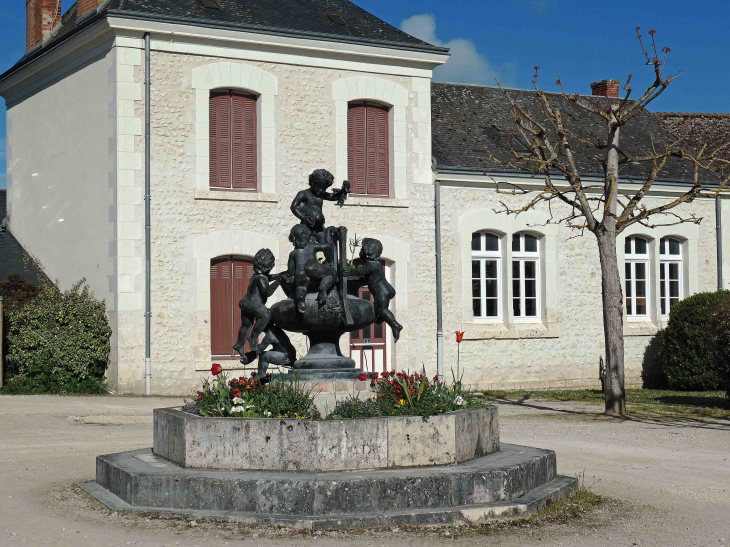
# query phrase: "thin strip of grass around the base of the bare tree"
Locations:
[[640, 403]]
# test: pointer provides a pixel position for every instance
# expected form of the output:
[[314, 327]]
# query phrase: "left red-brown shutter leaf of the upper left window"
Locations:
[[220, 139]]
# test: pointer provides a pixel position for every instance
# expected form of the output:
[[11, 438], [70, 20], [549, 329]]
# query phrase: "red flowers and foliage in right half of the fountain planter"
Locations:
[[404, 394]]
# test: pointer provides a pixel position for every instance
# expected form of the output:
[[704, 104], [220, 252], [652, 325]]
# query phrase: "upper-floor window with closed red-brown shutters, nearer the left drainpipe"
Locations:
[[232, 140]]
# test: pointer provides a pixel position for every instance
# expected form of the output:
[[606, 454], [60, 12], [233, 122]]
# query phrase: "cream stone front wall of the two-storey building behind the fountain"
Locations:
[[190, 226]]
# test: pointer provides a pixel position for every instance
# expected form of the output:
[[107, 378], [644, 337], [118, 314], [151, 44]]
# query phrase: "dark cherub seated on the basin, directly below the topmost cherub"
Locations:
[[303, 266]]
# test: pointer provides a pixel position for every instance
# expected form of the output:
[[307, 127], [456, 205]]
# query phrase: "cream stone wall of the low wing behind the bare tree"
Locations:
[[562, 350]]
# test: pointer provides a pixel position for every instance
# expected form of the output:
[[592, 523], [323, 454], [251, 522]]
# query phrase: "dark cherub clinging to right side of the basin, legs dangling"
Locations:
[[382, 291]]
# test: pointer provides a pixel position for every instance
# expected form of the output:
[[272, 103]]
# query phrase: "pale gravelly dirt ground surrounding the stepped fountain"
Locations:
[[668, 480]]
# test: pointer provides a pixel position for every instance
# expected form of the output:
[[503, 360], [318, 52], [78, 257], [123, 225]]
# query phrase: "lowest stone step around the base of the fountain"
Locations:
[[524, 506]]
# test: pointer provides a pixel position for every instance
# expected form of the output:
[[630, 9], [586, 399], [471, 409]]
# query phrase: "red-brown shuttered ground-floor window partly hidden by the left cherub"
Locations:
[[229, 279]]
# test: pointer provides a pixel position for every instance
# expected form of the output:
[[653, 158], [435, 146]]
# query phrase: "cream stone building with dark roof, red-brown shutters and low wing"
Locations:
[[244, 102]]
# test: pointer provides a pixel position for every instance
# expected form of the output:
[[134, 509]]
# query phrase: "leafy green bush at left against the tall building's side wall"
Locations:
[[58, 342]]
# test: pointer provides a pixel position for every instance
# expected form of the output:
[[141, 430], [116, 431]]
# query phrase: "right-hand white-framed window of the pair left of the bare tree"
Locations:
[[525, 277]]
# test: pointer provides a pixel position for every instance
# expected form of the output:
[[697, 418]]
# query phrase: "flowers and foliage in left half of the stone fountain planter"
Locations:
[[244, 398]]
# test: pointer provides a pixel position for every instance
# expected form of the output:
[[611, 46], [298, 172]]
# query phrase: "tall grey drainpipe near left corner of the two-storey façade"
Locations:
[[147, 227]]
